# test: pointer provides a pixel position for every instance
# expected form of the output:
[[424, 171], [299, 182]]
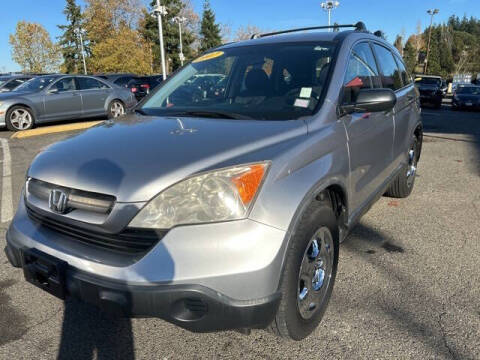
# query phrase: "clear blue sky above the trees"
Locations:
[[391, 16]]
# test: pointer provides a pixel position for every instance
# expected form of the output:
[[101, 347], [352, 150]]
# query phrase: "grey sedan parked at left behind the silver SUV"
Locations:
[[61, 97]]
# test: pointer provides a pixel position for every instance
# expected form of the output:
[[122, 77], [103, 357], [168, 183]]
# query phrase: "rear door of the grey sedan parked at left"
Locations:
[[94, 95]]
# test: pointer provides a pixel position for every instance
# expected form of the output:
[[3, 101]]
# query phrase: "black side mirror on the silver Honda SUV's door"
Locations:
[[372, 100]]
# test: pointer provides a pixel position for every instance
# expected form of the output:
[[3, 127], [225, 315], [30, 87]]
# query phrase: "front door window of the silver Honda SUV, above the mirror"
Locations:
[[362, 72]]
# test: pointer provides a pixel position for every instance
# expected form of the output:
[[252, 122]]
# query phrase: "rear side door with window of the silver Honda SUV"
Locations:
[[394, 76]]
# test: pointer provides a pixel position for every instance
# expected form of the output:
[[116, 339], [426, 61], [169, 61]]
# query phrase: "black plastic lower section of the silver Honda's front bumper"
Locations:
[[193, 307]]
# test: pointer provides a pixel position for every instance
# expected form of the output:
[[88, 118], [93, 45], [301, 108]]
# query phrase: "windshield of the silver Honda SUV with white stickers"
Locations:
[[271, 82]]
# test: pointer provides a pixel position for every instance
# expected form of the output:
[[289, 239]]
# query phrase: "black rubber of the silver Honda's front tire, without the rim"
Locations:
[[289, 322]]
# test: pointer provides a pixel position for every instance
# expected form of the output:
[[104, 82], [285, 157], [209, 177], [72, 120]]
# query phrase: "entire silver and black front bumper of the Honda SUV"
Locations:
[[231, 269]]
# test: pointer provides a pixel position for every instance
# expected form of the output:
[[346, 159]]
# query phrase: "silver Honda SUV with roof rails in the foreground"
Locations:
[[226, 212]]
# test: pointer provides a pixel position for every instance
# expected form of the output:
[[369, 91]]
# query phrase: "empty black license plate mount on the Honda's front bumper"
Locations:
[[44, 271]]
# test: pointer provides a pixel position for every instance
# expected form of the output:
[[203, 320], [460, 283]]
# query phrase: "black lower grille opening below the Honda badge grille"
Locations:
[[132, 241]]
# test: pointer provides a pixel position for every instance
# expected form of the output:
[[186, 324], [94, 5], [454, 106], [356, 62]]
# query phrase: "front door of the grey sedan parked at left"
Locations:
[[62, 100]]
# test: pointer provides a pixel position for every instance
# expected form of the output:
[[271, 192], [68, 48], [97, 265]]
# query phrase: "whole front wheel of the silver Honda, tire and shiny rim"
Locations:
[[309, 272]]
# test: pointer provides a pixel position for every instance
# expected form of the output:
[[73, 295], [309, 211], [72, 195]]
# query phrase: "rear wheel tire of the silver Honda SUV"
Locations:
[[402, 185]]
